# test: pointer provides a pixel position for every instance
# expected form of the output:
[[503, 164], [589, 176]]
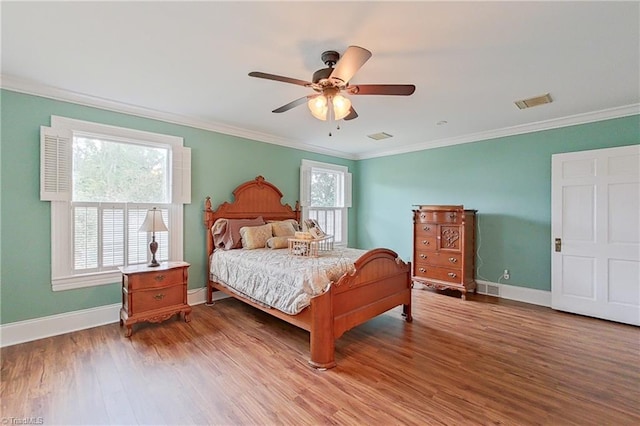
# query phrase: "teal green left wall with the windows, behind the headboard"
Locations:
[[219, 164]]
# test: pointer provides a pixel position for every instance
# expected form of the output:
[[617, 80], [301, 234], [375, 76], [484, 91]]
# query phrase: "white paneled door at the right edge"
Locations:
[[595, 226]]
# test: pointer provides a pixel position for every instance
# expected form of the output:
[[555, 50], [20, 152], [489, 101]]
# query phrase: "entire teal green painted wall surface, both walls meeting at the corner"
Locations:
[[508, 180]]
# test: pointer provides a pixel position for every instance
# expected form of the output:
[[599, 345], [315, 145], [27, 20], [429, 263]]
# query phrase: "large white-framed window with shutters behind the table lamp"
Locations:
[[101, 181]]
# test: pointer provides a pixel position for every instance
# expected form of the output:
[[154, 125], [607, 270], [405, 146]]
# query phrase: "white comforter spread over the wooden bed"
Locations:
[[277, 279]]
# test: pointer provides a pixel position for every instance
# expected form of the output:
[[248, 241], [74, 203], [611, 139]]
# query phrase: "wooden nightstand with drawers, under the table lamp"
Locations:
[[154, 294]]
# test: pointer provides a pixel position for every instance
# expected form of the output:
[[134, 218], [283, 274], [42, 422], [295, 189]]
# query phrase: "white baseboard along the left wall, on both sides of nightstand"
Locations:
[[40, 328]]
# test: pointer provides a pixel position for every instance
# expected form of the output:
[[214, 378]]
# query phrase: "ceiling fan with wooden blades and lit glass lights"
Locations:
[[329, 84]]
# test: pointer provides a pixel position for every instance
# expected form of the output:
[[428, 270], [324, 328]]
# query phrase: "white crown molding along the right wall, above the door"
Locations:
[[589, 117]]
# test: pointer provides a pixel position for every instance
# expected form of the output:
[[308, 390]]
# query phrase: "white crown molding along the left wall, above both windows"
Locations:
[[31, 88]]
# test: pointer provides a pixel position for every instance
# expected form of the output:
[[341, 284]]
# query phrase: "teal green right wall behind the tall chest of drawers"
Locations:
[[508, 180]]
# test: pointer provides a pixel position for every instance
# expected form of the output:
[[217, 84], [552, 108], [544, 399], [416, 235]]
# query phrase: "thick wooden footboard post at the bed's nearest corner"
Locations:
[[322, 335]]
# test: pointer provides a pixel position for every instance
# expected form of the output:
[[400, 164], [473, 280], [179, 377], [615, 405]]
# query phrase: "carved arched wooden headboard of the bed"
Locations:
[[251, 199]]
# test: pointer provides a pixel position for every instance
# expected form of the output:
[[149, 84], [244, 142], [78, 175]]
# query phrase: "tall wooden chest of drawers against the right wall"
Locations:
[[444, 247]]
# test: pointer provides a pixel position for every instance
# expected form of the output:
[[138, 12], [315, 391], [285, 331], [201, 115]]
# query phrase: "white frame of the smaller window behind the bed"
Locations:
[[306, 168]]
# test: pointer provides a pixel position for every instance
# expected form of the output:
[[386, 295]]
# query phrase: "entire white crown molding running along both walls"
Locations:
[[31, 88]]
